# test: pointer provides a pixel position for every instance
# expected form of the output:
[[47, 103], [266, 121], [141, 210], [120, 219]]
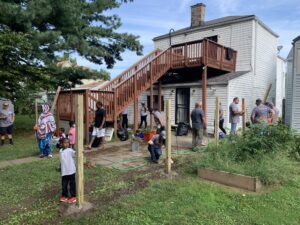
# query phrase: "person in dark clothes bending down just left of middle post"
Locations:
[[154, 146]]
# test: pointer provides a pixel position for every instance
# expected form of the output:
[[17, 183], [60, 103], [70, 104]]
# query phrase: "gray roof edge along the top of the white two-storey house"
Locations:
[[227, 20]]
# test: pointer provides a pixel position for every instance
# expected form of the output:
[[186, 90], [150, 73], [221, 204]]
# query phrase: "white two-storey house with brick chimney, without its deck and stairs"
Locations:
[[256, 46]]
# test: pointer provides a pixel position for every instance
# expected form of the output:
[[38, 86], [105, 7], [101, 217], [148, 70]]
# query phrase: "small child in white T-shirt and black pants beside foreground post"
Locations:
[[68, 171]]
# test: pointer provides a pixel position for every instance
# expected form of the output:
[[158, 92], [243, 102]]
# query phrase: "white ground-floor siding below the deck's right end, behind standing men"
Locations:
[[239, 87]]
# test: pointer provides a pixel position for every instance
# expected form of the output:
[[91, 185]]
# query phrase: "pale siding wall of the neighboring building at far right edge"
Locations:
[[296, 88]]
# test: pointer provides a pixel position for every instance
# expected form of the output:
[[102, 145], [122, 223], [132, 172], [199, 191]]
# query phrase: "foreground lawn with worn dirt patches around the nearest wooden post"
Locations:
[[30, 192]]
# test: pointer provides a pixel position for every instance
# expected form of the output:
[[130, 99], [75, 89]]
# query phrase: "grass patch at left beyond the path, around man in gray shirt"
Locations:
[[24, 140]]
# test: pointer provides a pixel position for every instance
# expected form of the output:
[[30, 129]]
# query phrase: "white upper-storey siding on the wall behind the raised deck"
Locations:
[[237, 36]]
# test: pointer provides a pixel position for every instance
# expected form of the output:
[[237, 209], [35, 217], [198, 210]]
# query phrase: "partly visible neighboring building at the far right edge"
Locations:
[[292, 107]]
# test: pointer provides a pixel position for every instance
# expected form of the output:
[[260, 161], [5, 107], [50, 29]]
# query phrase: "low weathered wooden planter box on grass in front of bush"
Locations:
[[230, 179]]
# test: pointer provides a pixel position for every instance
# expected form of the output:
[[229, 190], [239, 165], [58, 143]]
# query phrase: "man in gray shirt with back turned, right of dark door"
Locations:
[[198, 124]]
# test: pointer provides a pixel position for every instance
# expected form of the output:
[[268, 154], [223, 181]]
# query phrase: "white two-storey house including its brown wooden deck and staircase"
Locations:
[[237, 55]]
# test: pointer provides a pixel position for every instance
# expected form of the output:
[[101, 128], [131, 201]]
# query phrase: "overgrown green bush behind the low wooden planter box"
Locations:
[[263, 152]]
